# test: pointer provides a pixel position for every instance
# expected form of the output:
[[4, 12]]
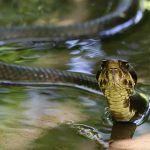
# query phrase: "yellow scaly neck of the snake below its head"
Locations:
[[119, 104]]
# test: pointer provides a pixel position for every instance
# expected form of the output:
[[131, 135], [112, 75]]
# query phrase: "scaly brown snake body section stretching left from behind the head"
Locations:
[[25, 75]]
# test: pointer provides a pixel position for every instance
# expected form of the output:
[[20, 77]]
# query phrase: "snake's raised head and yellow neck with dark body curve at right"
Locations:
[[117, 80]]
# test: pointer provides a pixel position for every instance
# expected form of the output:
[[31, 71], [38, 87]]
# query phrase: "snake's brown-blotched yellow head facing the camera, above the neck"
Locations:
[[116, 72]]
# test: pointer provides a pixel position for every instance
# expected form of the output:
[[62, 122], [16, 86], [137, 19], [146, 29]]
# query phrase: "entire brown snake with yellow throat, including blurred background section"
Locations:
[[115, 80]]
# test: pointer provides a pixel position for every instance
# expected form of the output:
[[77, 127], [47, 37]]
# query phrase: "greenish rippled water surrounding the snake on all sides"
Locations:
[[36, 117]]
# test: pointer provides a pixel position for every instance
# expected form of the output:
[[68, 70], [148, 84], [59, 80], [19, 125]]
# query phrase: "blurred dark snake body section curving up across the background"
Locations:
[[125, 15]]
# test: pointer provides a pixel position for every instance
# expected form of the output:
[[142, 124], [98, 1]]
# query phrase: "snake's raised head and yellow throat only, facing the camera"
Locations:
[[116, 82]]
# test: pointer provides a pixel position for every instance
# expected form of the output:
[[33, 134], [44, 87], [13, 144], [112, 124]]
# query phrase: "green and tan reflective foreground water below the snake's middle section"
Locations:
[[35, 117]]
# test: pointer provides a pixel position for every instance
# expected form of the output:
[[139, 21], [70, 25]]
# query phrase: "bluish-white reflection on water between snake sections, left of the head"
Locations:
[[83, 54]]
